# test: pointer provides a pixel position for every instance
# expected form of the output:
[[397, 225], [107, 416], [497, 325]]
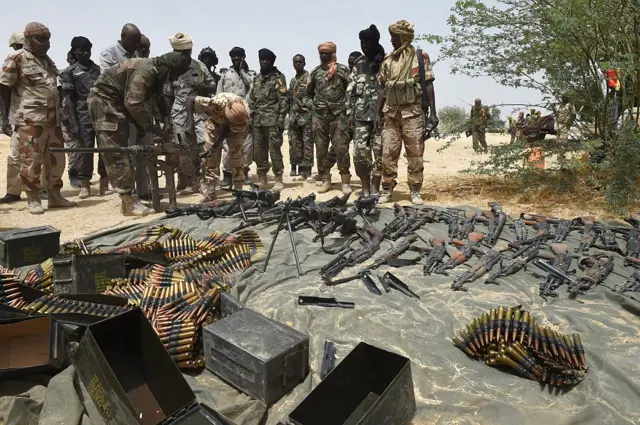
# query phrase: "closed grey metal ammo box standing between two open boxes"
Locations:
[[259, 356]]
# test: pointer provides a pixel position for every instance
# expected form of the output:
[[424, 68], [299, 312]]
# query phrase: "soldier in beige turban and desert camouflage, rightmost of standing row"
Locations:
[[403, 116]]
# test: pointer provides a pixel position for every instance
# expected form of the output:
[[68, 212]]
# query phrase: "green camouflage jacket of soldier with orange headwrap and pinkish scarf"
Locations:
[[328, 94]]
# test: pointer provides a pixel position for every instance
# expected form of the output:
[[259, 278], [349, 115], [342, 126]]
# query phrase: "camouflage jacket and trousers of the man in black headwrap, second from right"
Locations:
[[362, 102]]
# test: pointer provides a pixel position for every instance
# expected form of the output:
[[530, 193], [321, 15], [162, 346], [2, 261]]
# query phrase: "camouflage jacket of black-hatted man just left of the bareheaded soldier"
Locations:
[[268, 99]]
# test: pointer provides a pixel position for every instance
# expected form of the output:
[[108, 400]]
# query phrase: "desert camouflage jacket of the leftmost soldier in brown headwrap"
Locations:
[[35, 99]]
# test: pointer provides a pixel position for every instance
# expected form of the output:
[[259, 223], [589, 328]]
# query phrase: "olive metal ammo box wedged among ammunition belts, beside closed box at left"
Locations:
[[87, 274]]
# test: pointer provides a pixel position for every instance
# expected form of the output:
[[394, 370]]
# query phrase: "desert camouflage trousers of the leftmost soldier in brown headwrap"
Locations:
[[39, 169]]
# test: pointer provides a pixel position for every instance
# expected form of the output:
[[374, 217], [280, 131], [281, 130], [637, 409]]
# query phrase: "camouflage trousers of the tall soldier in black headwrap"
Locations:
[[365, 143]]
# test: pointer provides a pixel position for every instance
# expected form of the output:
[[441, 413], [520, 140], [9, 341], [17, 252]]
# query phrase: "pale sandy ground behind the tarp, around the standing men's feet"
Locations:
[[101, 212]]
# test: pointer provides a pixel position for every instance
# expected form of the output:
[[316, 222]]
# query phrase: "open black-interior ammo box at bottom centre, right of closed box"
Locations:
[[370, 386]]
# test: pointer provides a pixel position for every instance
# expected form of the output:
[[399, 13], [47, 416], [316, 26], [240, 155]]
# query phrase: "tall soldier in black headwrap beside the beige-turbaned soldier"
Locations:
[[362, 110]]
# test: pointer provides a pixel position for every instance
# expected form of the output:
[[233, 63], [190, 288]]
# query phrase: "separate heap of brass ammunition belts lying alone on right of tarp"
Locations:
[[511, 338]]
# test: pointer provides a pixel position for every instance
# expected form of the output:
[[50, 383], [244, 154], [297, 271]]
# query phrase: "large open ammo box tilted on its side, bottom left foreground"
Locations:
[[132, 379]]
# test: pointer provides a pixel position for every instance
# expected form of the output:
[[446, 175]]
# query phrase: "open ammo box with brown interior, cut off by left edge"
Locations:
[[31, 345]]
